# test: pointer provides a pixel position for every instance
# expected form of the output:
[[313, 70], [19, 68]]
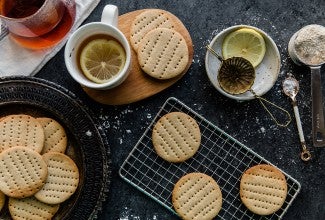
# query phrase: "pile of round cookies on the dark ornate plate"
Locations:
[[35, 174]]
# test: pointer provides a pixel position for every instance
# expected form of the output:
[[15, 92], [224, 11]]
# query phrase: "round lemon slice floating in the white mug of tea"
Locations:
[[102, 59]]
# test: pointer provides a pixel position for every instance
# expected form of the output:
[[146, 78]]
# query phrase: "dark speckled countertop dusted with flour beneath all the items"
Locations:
[[246, 121]]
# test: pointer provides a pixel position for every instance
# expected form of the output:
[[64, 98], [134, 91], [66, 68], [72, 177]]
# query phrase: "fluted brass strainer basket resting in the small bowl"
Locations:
[[236, 75]]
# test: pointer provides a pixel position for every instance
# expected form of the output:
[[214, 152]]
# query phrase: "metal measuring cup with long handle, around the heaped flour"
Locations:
[[318, 125]]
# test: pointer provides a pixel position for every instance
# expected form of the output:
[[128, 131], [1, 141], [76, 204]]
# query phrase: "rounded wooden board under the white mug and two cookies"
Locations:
[[139, 85]]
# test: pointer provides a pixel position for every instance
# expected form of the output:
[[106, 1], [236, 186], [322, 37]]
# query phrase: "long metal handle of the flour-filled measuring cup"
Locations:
[[317, 108]]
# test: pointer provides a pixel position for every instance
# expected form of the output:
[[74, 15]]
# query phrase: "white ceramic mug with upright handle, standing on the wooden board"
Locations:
[[105, 31]]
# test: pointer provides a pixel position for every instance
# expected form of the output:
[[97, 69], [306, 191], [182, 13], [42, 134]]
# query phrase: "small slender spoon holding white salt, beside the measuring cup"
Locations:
[[290, 88]]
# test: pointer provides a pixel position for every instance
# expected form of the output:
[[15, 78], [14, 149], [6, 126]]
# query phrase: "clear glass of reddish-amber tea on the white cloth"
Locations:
[[37, 24]]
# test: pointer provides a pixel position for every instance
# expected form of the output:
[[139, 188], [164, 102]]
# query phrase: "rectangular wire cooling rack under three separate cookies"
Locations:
[[220, 156]]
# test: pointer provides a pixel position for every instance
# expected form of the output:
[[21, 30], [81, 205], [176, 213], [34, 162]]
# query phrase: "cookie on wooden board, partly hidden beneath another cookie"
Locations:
[[146, 21]]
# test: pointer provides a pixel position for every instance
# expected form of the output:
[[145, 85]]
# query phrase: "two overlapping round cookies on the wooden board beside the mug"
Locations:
[[162, 51]]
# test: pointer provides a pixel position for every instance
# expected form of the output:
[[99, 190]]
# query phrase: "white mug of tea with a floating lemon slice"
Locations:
[[111, 58]]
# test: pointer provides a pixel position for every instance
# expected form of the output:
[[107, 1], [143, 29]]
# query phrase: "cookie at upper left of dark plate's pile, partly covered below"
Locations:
[[21, 130]]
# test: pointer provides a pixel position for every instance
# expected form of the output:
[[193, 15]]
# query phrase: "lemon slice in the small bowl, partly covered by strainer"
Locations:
[[246, 43]]
